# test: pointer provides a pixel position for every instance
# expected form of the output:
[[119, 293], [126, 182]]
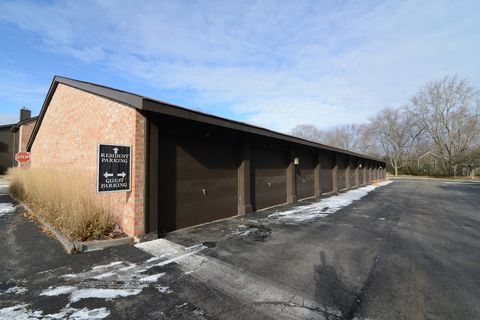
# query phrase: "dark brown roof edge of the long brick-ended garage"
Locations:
[[148, 104]]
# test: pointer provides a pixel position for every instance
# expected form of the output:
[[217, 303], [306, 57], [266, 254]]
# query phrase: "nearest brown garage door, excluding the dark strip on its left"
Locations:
[[206, 187]]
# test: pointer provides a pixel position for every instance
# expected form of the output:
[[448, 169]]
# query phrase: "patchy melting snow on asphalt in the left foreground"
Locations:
[[108, 282]]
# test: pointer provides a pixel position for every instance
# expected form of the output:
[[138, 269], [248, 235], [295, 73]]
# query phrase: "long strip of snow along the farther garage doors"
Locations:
[[325, 206]]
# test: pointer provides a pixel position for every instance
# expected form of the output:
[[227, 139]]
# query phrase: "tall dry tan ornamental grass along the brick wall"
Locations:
[[63, 197]]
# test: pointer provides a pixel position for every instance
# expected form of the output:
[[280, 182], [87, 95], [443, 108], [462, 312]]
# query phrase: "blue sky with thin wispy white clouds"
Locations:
[[271, 63]]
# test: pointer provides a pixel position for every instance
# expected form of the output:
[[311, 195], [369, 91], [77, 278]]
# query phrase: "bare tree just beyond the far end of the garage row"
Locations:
[[398, 132]]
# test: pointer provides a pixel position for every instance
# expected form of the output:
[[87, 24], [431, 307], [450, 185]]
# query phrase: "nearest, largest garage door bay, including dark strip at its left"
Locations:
[[197, 181]]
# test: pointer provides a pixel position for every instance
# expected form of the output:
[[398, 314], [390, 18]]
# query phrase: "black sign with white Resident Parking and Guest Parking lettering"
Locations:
[[113, 168]]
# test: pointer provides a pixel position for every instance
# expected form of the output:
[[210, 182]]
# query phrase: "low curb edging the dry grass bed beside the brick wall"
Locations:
[[72, 247]]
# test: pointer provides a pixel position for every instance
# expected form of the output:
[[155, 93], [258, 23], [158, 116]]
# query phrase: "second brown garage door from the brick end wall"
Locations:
[[269, 168]]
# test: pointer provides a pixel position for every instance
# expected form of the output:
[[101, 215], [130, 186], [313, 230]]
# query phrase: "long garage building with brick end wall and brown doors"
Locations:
[[187, 167]]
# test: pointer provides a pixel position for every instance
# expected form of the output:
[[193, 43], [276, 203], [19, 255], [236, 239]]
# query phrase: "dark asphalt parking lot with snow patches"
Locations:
[[407, 250]]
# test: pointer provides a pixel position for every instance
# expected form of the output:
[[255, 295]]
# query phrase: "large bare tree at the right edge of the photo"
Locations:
[[449, 113]]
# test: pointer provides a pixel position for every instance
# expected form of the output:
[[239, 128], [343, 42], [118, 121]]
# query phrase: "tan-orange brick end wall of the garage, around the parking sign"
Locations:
[[74, 124]]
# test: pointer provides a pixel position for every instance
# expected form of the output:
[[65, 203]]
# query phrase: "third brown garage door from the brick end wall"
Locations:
[[305, 173]]
